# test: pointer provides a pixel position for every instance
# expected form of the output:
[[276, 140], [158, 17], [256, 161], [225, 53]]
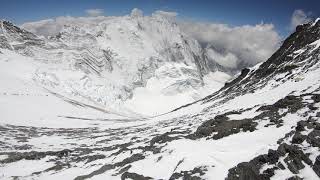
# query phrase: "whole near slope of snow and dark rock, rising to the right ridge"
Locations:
[[265, 124]]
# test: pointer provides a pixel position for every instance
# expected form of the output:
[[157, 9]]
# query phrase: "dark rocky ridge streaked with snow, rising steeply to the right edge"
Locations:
[[290, 56]]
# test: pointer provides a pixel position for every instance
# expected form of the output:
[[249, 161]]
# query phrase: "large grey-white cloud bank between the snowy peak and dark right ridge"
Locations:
[[235, 47]]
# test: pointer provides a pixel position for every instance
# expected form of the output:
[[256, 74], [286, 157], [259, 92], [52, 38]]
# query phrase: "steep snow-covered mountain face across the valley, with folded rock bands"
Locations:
[[104, 60]]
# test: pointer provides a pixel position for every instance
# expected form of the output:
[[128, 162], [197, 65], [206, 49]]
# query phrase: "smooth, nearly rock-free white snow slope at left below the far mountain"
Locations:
[[24, 102]]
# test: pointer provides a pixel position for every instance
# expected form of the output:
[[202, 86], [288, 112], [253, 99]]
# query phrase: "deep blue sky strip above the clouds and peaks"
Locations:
[[232, 12]]
